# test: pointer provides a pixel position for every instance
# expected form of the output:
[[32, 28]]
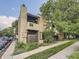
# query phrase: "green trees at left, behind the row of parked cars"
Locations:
[[10, 30]]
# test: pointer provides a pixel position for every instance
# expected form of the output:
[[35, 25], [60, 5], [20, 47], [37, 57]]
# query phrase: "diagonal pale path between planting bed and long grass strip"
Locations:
[[40, 49]]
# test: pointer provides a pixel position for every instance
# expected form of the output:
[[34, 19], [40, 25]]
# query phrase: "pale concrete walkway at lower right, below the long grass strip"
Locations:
[[65, 52]]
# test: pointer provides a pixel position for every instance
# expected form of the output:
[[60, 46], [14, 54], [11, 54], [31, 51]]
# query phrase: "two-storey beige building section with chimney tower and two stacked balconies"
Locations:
[[30, 27]]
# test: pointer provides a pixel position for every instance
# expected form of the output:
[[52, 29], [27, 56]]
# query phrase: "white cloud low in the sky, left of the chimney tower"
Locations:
[[6, 21]]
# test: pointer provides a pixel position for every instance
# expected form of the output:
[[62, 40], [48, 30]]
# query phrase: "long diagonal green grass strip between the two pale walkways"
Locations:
[[49, 52]]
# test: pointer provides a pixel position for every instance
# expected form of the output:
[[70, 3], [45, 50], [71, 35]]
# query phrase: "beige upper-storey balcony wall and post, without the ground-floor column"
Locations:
[[39, 26]]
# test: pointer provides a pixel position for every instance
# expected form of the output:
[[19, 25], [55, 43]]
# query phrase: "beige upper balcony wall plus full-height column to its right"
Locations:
[[38, 27]]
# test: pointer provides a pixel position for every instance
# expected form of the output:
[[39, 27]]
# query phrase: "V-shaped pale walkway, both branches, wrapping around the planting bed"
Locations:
[[8, 53]]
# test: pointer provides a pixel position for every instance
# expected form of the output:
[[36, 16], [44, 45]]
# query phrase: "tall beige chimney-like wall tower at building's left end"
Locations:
[[22, 25]]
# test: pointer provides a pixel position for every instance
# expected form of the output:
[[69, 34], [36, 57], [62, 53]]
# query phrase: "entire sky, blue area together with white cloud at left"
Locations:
[[9, 10]]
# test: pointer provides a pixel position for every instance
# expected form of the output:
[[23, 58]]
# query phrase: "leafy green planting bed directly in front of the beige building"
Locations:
[[21, 47]]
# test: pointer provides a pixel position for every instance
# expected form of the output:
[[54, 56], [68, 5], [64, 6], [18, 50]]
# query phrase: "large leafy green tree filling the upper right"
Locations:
[[63, 14]]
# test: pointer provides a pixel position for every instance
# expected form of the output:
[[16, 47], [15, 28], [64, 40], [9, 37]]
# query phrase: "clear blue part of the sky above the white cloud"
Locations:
[[12, 7]]
